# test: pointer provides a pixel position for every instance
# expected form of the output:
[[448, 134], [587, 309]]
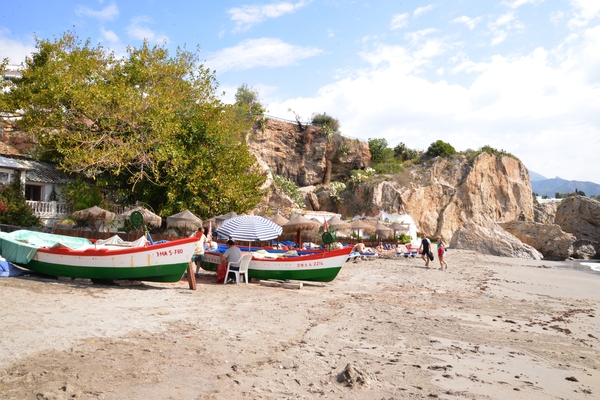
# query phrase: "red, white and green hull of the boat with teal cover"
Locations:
[[164, 262]]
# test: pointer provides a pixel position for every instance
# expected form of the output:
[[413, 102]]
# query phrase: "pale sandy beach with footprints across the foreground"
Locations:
[[486, 328]]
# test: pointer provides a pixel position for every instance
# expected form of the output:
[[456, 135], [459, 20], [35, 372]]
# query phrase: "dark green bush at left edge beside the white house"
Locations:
[[13, 205]]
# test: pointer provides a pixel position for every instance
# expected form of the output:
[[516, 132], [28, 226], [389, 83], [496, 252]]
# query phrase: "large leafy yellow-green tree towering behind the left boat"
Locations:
[[148, 123]]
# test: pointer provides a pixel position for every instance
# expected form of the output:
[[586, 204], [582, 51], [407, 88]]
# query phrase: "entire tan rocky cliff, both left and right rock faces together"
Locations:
[[441, 195]]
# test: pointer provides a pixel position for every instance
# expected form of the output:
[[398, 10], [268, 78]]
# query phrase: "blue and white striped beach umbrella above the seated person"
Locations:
[[249, 227]]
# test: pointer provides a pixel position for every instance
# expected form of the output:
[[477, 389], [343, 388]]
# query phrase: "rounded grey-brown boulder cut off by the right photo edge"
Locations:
[[580, 216]]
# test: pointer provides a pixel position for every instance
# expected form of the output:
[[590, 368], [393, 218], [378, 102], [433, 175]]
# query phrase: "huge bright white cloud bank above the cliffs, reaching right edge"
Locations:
[[530, 105]]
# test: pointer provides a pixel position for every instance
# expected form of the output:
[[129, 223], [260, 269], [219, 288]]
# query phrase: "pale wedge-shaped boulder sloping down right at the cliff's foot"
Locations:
[[483, 235]]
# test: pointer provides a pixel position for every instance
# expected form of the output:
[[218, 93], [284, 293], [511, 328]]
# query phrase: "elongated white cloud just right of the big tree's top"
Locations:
[[264, 52]]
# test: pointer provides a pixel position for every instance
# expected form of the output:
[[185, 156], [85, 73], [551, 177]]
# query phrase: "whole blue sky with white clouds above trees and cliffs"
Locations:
[[518, 75]]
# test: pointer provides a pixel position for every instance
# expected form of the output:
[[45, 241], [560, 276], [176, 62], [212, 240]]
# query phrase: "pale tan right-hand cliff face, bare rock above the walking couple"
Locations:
[[444, 195]]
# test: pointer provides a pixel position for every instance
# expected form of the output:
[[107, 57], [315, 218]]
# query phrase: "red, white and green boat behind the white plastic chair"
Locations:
[[321, 266]]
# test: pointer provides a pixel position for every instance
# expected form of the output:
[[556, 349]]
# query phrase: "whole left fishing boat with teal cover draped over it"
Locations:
[[105, 259]]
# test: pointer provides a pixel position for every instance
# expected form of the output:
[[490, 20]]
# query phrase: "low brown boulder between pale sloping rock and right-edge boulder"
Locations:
[[550, 240]]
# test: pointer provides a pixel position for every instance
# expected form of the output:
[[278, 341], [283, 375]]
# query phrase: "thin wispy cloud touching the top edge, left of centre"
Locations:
[[249, 15]]
